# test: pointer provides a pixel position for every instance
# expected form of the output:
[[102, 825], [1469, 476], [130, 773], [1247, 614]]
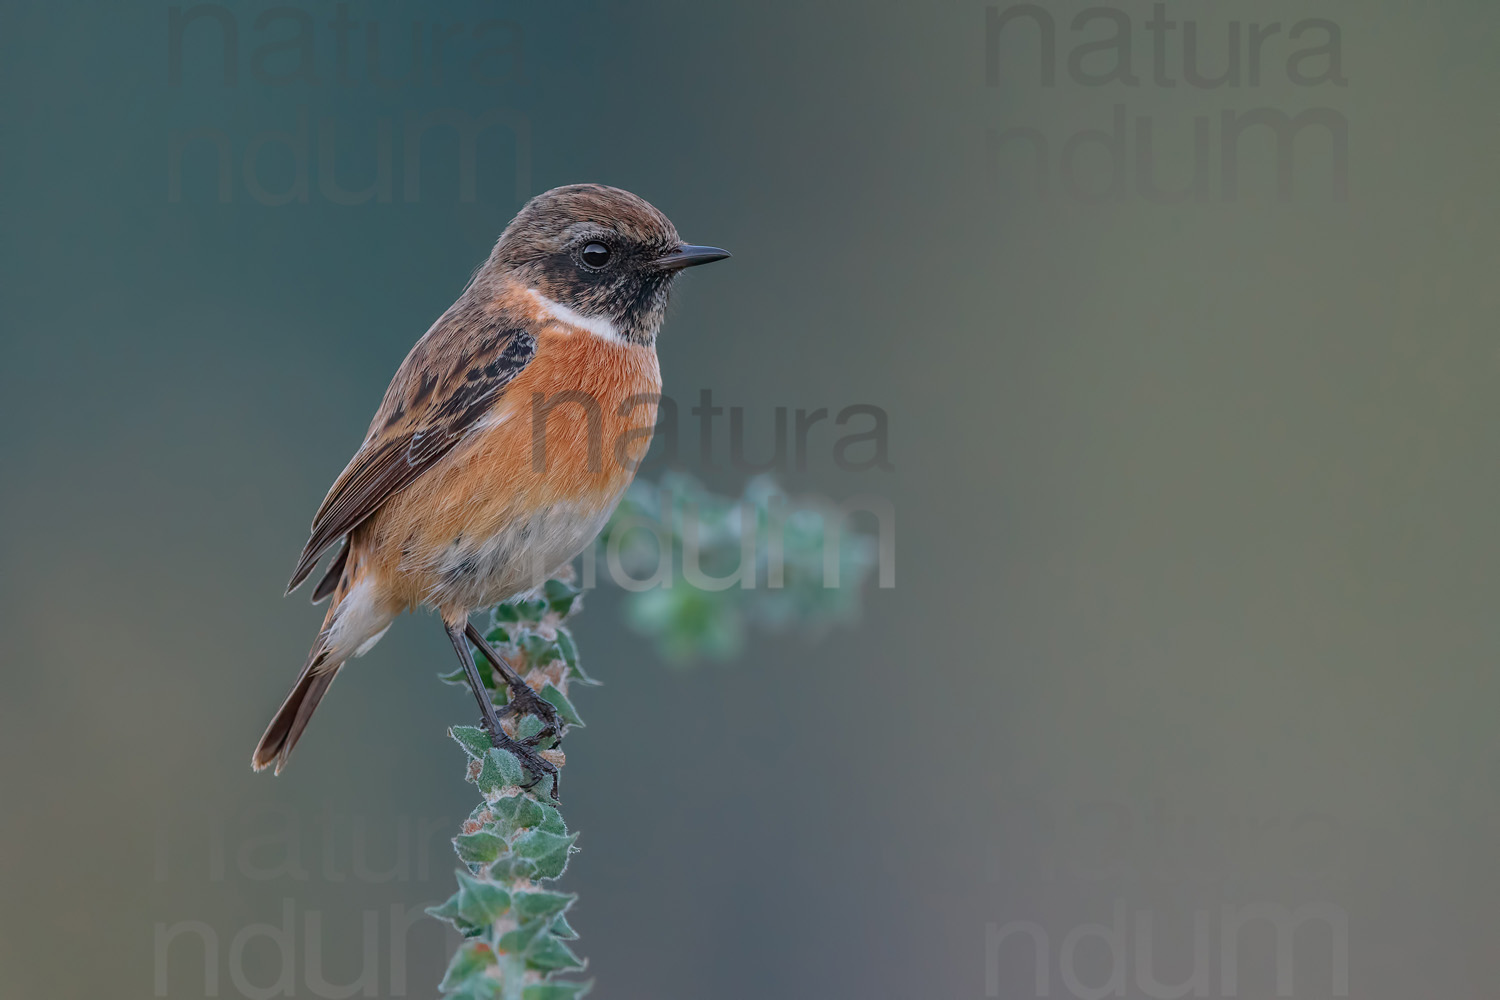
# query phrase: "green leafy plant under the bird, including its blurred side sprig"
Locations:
[[517, 932]]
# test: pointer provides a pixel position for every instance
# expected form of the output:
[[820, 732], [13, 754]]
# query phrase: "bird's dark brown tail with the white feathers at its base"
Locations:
[[352, 627]]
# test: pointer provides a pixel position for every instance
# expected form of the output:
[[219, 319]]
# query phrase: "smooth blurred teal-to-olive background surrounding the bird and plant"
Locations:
[[1187, 680]]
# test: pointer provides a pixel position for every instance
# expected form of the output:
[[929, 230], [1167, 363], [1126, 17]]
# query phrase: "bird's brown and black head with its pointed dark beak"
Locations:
[[601, 253]]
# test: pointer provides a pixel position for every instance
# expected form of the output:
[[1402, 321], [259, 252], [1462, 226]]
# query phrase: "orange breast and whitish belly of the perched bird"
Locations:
[[499, 516]]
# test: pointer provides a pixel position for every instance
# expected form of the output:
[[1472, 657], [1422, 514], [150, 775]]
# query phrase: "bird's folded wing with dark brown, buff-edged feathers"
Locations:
[[451, 380]]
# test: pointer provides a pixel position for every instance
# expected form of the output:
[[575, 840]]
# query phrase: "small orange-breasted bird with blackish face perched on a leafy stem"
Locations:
[[503, 445]]
